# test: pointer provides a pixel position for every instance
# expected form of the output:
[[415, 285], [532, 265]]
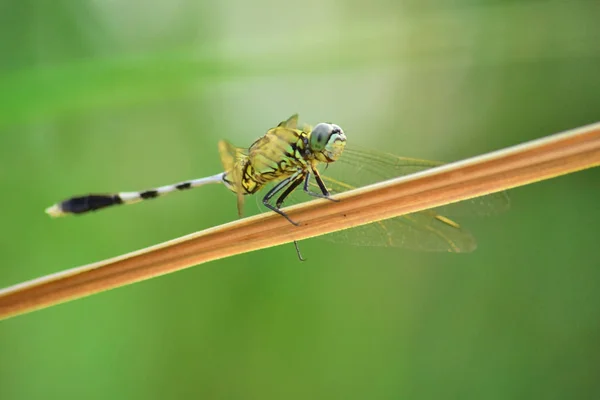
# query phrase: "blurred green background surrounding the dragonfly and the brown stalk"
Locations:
[[102, 95]]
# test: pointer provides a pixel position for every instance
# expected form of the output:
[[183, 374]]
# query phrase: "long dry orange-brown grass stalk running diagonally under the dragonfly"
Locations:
[[516, 166]]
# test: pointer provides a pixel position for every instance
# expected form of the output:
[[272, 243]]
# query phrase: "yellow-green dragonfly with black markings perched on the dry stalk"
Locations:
[[288, 157]]
